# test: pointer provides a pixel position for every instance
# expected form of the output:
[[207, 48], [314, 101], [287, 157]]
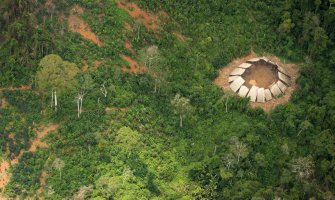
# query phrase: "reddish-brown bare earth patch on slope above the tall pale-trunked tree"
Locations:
[[76, 24]]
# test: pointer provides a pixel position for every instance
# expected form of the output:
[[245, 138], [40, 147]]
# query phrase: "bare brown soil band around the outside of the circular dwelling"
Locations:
[[292, 69]]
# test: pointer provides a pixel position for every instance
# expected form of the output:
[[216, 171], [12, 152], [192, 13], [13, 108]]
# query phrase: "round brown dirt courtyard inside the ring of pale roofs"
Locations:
[[260, 75]]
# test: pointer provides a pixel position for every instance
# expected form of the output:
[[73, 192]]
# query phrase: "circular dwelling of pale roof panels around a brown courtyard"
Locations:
[[260, 79]]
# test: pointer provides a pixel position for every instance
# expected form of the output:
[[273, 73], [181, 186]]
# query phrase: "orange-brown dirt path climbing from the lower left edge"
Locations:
[[5, 165]]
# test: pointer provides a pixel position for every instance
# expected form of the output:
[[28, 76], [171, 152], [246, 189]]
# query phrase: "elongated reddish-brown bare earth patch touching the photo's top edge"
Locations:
[[151, 22]]
